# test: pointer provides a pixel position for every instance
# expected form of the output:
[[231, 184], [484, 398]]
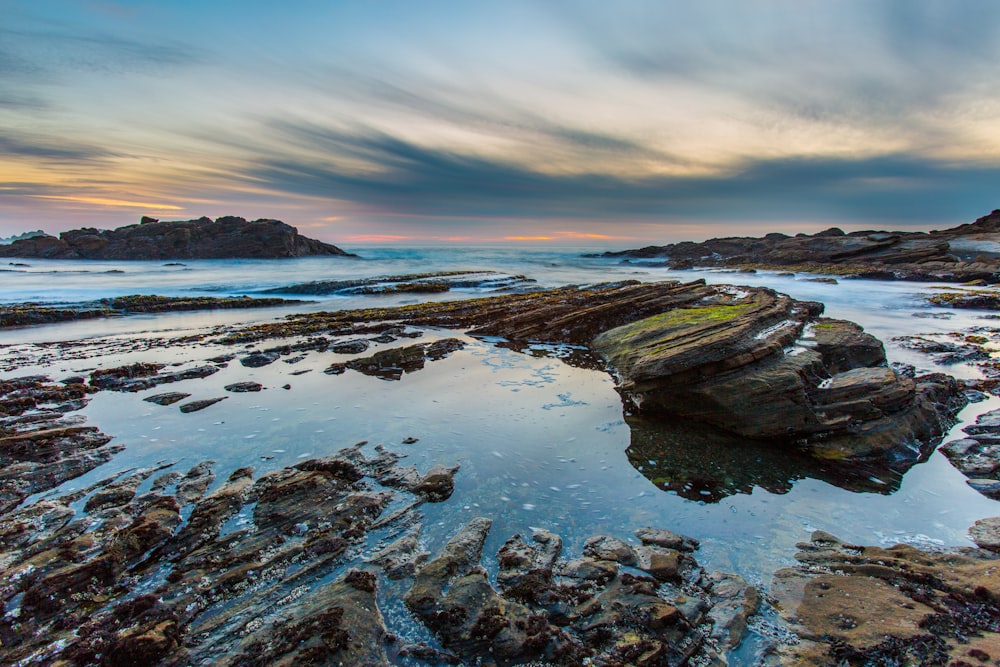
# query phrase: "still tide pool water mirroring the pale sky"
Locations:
[[541, 444]]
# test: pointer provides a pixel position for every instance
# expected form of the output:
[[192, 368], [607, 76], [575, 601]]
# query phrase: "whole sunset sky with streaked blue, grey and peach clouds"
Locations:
[[555, 121]]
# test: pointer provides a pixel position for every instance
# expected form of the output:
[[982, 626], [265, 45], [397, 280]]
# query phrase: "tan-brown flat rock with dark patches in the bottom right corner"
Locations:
[[855, 605]]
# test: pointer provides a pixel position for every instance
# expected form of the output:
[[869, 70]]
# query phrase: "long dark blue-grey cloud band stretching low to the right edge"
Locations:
[[399, 177]]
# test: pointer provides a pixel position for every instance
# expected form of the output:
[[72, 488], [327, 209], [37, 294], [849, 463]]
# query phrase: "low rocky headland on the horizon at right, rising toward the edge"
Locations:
[[964, 253]]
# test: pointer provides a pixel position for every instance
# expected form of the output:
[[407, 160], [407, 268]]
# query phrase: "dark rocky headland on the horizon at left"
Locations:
[[228, 237]]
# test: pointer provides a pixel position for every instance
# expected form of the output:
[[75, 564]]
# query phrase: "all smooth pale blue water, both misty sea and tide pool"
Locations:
[[541, 443]]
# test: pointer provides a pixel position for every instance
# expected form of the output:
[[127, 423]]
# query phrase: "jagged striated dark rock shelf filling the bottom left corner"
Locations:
[[275, 588]]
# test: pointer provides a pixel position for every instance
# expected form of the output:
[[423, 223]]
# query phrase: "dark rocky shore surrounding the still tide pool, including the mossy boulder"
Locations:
[[169, 566]]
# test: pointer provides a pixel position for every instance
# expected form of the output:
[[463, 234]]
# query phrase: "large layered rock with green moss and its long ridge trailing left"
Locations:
[[748, 361]]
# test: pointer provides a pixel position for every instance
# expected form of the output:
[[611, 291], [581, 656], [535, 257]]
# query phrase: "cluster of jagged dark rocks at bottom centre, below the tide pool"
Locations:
[[586, 610]]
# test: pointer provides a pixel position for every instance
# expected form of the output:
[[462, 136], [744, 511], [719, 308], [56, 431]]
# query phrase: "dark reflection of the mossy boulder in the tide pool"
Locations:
[[700, 463]]
